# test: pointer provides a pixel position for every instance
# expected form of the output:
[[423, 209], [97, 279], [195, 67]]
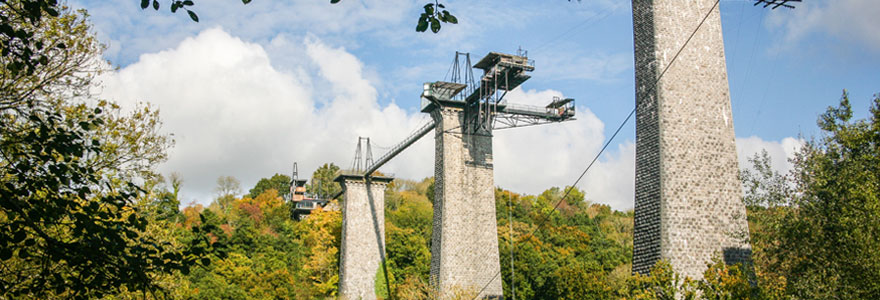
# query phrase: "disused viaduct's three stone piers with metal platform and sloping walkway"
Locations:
[[688, 204]]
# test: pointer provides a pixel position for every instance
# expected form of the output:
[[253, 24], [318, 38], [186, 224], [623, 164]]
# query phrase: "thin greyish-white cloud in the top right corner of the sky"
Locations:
[[853, 20]]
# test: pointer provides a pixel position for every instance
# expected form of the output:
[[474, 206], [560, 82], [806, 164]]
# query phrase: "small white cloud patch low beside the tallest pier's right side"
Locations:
[[780, 151]]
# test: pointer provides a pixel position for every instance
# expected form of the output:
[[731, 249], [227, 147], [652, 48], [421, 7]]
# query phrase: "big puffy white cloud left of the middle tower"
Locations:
[[232, 113]]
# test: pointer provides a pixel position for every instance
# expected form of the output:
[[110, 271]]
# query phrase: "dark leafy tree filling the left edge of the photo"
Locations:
[[69, 223]]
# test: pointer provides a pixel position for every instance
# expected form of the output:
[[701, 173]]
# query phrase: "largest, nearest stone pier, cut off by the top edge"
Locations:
[[688, 205]]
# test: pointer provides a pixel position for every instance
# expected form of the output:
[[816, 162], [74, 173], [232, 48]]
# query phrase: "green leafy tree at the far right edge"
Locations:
[[830, 242]]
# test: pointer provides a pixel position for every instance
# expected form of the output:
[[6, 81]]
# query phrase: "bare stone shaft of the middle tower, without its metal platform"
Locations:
[[464, 245]]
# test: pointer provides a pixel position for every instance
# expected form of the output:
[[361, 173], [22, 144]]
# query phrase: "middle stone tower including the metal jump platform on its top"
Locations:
[[464, 244]]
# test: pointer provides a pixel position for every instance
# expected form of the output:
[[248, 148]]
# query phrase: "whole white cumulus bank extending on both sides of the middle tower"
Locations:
[[233, 113]]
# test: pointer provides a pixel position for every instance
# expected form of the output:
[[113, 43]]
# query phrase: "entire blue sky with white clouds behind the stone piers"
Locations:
[[250, 89]]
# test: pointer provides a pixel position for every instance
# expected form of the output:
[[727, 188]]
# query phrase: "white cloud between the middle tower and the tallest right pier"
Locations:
[[532, 159]]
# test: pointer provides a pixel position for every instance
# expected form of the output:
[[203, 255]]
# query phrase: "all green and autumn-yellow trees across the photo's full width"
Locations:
[[83, 214]]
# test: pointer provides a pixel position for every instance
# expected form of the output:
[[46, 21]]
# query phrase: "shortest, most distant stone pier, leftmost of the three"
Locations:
[[362, 253]]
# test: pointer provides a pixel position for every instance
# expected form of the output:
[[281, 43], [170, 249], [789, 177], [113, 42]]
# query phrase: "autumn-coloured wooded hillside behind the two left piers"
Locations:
[[581, 248]]
